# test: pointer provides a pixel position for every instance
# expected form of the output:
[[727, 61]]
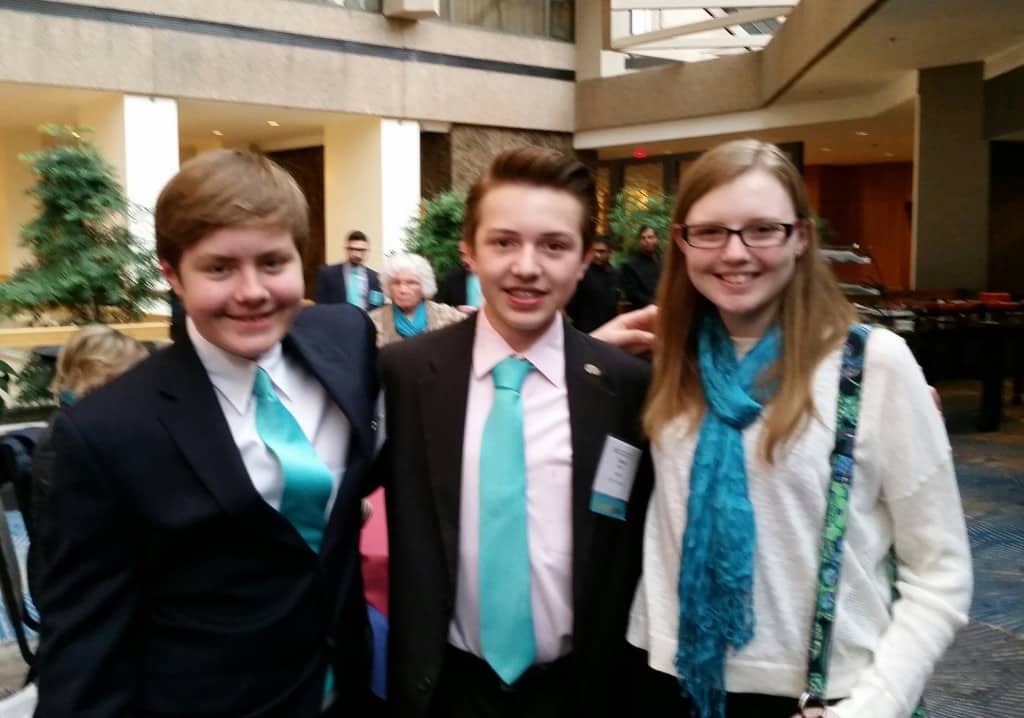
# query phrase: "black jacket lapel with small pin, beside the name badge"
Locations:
[[592, 402]]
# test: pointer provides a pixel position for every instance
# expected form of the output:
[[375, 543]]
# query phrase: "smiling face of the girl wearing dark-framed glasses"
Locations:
[[745, 284]]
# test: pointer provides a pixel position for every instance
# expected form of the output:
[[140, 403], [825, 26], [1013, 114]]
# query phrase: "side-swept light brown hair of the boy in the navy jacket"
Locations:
[[228, 188]]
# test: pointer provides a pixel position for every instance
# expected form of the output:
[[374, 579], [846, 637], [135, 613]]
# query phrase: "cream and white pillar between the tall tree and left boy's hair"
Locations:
[[140, 137]]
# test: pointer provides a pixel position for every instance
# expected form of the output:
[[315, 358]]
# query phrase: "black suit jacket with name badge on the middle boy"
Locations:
[[428, 381]]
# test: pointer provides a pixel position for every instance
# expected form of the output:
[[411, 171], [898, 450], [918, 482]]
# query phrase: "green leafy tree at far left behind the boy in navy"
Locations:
[[84, 259]]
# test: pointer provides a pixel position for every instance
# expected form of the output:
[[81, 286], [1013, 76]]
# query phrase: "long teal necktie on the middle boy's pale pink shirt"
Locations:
[[506, 615]]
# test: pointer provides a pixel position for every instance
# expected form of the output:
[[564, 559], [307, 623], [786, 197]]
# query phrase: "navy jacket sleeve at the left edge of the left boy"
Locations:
[[89, 666]]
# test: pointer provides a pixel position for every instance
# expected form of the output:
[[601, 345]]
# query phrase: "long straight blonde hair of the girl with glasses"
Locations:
[[815, 316]]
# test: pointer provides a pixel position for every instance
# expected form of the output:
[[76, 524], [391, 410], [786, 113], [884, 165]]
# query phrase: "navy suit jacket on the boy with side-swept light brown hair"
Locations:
[[176, 589]]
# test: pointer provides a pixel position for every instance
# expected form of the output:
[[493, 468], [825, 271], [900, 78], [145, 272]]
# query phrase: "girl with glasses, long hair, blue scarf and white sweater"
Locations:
[[805, 485]]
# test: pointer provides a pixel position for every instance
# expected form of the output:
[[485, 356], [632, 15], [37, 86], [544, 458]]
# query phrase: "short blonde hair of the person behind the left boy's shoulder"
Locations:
[[93, 357]]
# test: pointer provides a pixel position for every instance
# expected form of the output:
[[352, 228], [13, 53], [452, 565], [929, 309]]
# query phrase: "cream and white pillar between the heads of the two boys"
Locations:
[[371, 183]]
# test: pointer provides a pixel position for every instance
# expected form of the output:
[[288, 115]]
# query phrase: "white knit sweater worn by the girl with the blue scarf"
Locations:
[[905, 494]]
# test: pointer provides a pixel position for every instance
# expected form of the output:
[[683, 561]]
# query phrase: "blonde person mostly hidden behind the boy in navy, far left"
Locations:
[[93, 357]]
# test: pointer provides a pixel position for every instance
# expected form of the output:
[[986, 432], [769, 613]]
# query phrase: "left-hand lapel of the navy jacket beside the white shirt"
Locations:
[[195, 420]]
